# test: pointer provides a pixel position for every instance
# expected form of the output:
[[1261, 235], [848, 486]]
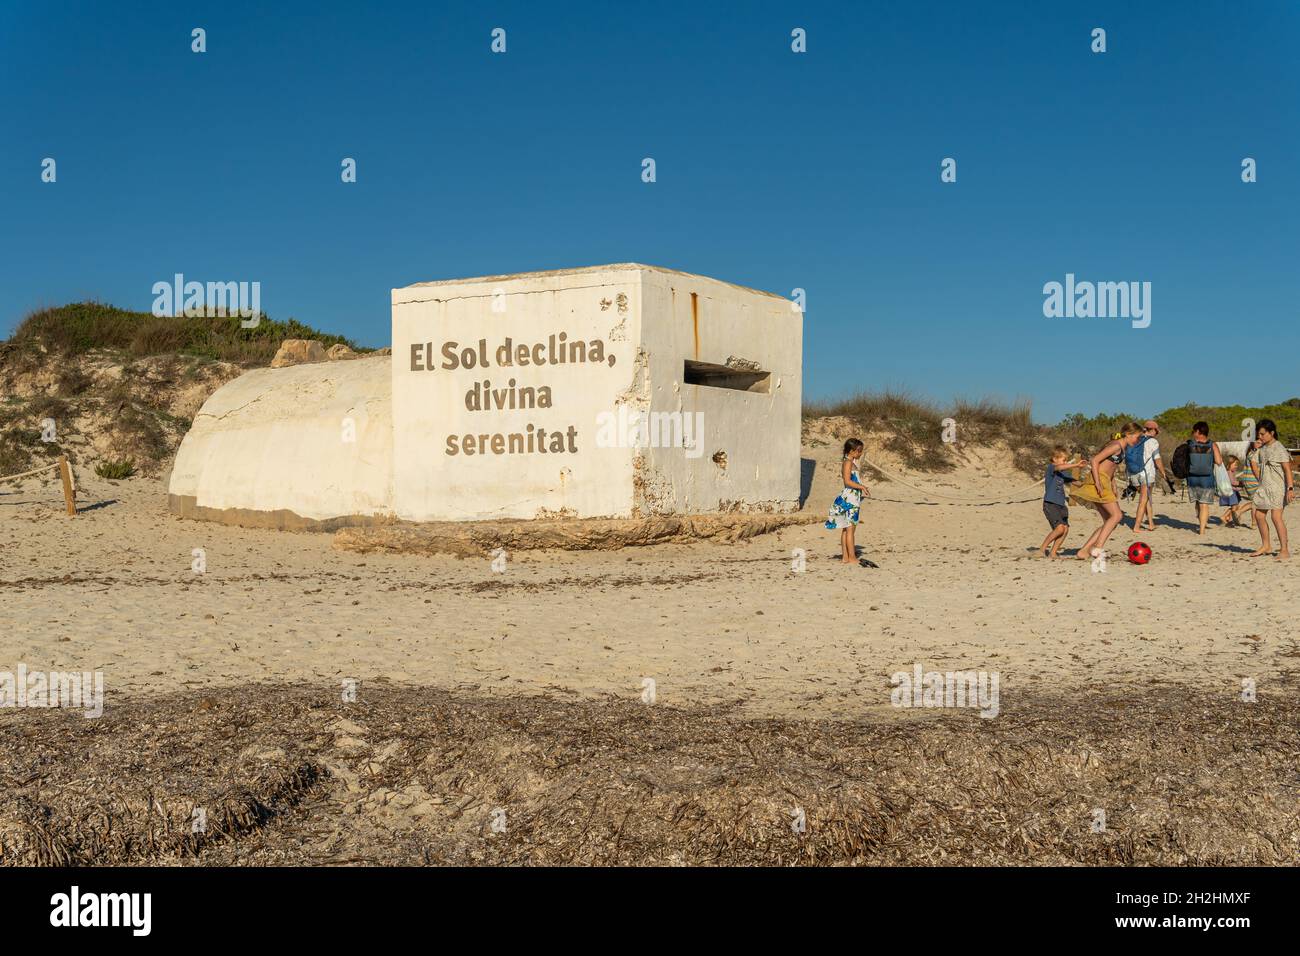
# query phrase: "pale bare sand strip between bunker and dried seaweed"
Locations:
[[957, 589]]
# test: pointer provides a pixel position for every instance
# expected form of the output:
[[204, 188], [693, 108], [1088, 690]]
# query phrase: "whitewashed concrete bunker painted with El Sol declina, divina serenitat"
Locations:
[[591, 393]]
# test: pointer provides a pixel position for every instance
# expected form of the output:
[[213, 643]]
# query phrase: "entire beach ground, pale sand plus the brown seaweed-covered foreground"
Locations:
[[504, 717]]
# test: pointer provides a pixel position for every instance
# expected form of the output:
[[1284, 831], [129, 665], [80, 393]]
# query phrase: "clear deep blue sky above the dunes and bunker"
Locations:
[[779, 171]]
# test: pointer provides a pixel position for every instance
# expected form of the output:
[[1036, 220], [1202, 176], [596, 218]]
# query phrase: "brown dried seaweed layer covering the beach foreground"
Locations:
[[415, 776]]
